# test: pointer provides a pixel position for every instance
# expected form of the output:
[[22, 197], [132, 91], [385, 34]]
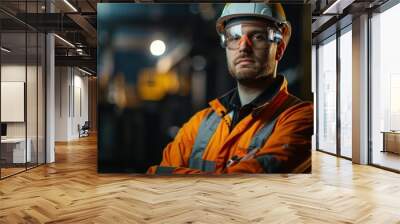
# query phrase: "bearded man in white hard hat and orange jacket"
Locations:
[[258, 127]]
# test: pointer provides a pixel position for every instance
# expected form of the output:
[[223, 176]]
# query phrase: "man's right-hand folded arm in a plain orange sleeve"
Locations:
[[288, 149]]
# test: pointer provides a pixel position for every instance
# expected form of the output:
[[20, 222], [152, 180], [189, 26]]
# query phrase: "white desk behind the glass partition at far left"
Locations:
[[16, 147]]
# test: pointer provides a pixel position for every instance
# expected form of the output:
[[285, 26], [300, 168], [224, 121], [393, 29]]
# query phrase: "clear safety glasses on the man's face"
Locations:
[[234, 36]]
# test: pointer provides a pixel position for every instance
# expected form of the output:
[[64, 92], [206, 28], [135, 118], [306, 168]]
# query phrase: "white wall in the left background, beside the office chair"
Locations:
[[71, 93]]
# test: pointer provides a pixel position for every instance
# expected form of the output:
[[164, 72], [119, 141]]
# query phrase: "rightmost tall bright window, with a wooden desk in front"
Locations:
[[385, 88]]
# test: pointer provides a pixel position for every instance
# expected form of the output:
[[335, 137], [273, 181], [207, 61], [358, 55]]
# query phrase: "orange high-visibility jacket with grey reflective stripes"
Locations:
[[274, 138]]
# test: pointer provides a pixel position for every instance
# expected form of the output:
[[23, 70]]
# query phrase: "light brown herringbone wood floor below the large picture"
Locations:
[[71, 191]]
